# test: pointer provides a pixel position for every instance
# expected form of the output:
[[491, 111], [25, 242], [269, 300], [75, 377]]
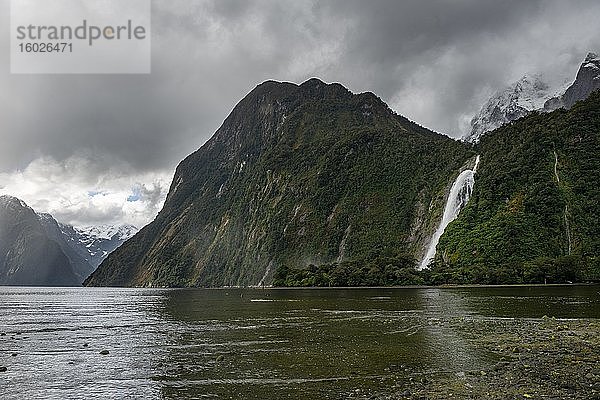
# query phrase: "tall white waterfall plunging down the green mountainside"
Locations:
[[459, 196]]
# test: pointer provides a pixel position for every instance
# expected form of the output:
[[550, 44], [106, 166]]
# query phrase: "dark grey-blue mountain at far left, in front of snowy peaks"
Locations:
[[27, 255]]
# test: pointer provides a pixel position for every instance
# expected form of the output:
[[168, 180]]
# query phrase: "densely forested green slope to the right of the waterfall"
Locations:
[[533, 213]]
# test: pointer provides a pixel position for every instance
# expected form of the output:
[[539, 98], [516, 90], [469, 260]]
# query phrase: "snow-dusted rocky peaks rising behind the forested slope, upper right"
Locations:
[[532, 93]]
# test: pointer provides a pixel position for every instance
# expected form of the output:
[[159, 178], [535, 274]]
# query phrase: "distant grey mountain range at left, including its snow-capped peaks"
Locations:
[[37, 250]]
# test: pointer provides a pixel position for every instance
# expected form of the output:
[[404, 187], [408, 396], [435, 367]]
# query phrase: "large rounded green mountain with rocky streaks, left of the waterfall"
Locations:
[[296, 175]]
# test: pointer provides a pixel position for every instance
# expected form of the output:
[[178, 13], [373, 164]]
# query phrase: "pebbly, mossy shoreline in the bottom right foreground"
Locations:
[[536, 359]]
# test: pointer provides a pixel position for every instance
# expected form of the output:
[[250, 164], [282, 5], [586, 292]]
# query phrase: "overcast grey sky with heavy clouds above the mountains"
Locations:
[[80, 146]]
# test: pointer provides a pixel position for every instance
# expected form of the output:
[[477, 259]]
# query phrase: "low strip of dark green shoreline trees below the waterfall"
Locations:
[[400, 271]]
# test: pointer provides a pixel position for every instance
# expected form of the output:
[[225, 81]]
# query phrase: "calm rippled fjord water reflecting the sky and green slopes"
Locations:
[[251, 343]]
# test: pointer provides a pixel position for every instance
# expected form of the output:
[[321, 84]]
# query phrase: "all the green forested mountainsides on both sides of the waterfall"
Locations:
[[299, 177]]
